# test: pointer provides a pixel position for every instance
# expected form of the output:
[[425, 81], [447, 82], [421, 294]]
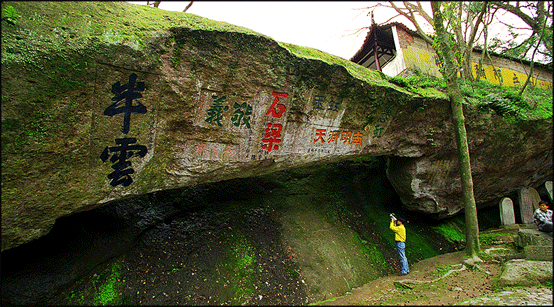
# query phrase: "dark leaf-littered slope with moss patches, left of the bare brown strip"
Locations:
[[186, 261]]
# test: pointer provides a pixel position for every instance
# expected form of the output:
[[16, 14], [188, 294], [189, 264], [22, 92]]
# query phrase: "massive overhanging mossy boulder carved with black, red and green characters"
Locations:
[[107, 100]]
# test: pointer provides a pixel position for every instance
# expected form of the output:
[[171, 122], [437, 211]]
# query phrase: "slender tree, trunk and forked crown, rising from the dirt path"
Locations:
[[445, 44]]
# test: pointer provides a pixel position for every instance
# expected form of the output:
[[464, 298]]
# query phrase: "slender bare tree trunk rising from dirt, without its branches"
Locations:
[[456, 99]]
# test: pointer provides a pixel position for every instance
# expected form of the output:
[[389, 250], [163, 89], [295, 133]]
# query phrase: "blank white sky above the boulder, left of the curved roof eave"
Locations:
[[327, 26]]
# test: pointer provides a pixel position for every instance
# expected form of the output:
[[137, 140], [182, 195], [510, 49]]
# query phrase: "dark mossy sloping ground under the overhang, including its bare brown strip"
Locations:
[[279, 249]]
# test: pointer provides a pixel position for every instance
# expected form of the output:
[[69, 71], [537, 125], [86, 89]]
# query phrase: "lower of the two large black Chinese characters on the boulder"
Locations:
[[122, 167]]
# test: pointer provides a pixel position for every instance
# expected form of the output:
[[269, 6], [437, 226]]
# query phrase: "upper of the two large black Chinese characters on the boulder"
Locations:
[[127, 92]]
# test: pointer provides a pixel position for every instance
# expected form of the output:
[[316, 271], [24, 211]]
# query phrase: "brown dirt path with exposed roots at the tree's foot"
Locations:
[[424, 285]]
